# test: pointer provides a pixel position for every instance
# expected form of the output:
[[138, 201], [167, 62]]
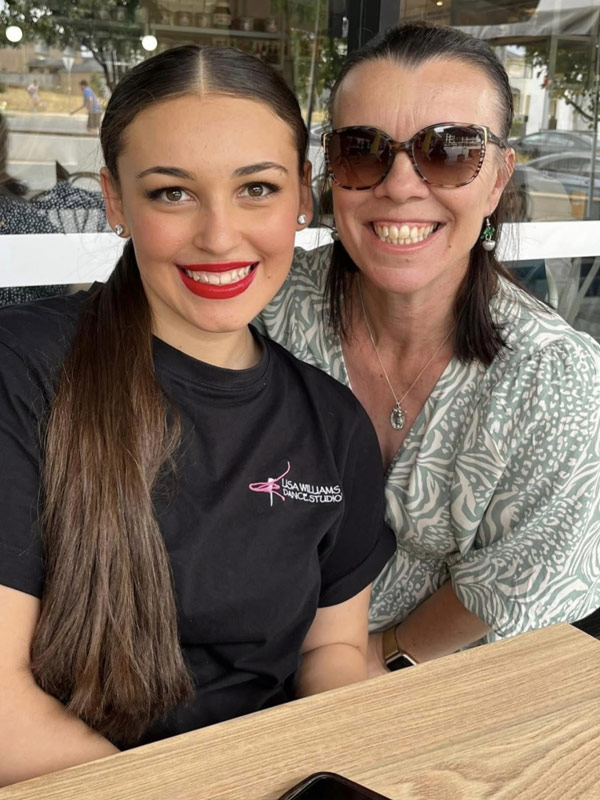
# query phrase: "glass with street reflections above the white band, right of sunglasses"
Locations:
[[548, 48]]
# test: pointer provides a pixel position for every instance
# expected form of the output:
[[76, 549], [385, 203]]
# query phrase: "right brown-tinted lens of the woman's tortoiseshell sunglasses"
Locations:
[[449, 156]]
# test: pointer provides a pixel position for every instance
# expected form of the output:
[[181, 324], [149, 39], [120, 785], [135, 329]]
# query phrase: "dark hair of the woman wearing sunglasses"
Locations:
[[477, 336]]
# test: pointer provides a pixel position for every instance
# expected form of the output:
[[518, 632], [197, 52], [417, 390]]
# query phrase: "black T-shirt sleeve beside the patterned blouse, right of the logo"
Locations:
[[362, 543]]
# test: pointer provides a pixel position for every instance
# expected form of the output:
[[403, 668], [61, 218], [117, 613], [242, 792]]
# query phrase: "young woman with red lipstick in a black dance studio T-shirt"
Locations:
[[190, 517]]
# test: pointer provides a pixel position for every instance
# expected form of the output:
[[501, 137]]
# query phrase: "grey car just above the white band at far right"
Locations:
[[556, 187]]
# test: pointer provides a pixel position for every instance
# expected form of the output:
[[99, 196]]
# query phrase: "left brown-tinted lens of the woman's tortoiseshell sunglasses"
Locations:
[[358, 158]]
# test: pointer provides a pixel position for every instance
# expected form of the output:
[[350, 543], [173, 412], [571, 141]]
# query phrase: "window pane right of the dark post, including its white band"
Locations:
[[551, 51]]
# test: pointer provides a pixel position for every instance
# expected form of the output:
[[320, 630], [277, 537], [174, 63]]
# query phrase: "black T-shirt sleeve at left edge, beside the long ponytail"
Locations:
[[21, 564]]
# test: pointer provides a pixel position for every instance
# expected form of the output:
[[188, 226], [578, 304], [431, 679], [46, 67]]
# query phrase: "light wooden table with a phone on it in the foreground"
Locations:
[[516, 719]]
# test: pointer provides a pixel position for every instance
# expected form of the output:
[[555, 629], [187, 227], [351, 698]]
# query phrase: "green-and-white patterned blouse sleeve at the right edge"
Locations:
[[535, 556]]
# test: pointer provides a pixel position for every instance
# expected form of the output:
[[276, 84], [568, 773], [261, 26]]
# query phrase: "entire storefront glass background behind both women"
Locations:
[[50, 155]]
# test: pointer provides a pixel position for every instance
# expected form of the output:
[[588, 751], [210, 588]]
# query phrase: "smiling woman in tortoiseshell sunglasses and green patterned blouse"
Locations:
[[485, 402]]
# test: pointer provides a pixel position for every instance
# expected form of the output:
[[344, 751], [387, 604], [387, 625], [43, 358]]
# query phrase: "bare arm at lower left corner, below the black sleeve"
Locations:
[[37, 734]]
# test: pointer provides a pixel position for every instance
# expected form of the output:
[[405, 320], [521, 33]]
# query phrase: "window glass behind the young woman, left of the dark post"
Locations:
[[60, 60]]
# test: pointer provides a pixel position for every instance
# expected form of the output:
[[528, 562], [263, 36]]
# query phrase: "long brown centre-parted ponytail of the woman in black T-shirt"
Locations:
[[106, 643]]
